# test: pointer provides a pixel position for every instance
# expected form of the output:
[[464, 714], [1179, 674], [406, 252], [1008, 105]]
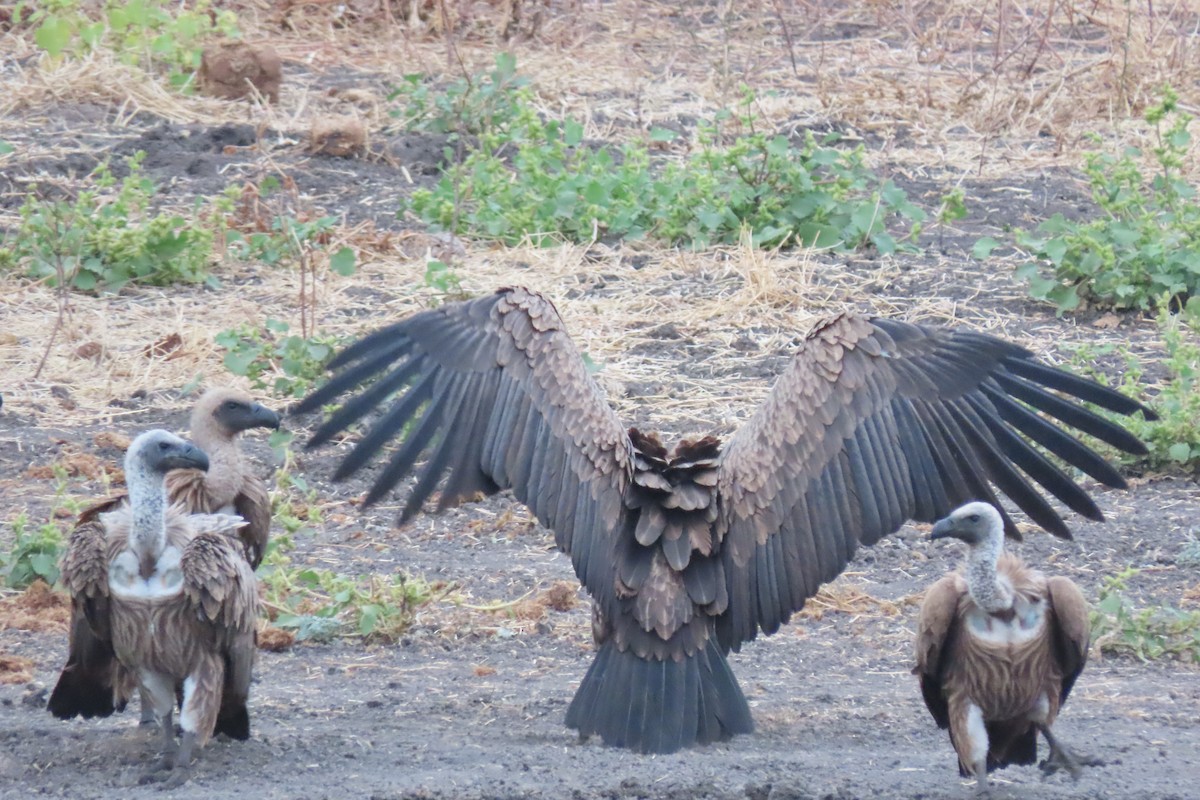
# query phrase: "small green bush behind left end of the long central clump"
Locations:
[[467, 106]]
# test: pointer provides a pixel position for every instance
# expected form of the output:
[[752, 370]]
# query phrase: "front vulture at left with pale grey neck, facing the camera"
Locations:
[[175, 596]]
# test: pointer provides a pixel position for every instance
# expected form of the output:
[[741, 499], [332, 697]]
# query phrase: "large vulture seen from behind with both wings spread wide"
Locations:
[[691, 552]]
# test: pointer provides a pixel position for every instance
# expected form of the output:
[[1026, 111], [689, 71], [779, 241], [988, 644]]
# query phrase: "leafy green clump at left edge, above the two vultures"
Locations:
[[109, 237]]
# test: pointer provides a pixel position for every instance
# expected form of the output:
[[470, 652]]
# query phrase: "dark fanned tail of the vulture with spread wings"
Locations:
[[659, 707]]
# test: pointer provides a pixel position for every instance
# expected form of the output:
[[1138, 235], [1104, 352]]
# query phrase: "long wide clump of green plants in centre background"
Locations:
[[535, 178]]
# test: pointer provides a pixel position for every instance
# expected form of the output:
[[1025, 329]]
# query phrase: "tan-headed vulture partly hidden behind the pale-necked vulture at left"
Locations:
[[91, 683]]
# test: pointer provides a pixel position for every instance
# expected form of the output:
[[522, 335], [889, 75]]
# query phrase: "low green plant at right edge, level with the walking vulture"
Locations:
[[1149, 634]]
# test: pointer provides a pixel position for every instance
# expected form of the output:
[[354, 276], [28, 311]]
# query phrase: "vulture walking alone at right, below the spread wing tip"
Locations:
[[999, 648]]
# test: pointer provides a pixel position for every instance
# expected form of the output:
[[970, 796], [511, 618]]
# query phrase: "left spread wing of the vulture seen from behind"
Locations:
[[501, 399]]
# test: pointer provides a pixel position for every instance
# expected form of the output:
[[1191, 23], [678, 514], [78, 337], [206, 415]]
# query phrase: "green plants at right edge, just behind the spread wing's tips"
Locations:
[[1174, 438]]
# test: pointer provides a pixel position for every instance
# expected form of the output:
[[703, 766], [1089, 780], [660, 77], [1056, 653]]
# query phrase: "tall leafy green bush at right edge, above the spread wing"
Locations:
[[1147, 243]]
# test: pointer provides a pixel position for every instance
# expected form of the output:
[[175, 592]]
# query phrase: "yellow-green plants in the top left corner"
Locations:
[[152, 34]]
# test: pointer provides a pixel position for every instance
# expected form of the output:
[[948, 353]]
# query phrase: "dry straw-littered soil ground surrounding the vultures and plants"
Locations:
[[470, 703]]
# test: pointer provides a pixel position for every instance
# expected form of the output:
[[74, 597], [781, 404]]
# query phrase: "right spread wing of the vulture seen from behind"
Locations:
[[879, 422]]
